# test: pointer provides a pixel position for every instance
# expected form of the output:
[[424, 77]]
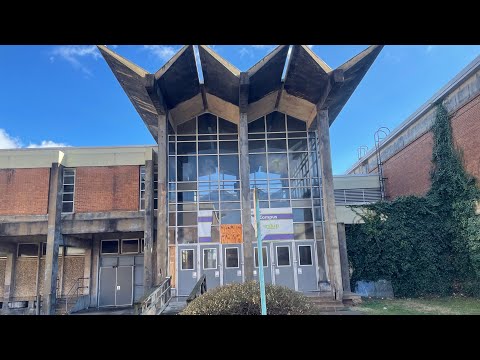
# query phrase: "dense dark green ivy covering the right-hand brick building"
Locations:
[[424, 245]]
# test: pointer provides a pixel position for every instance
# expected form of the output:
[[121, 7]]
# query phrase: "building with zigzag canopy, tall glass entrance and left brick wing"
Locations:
[[105, 225]]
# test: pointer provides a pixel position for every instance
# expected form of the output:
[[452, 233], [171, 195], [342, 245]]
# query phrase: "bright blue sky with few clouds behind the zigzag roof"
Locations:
[[67, 95]]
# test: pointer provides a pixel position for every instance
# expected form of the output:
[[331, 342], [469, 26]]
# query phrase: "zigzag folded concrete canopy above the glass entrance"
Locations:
[[175, 89]]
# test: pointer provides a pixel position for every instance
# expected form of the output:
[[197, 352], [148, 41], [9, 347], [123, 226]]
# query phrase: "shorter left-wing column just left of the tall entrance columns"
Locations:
[[148, 274]]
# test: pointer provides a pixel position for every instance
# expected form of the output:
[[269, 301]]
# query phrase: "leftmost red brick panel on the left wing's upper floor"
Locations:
[[24, 191]]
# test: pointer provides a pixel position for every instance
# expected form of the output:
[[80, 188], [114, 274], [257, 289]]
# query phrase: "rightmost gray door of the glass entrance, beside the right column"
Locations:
[[306, 266]]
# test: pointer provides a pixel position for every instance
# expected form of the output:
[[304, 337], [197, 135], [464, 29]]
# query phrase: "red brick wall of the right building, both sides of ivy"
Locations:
[[408, 171]]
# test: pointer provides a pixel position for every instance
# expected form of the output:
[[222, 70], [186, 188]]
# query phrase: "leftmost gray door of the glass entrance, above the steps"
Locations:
[[187, 269]]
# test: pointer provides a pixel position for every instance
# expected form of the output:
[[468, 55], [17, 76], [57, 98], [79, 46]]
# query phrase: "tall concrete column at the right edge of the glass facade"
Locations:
[[325, 171]]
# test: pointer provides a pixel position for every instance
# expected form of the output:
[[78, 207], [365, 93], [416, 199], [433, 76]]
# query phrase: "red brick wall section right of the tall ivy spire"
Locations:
[[466, 134]]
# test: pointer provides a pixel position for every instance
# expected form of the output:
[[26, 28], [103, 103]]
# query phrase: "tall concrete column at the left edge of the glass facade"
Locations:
[[162, 211]]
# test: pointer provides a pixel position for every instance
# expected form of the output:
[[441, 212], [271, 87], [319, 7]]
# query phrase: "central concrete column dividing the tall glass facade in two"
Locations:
[[247, 228]]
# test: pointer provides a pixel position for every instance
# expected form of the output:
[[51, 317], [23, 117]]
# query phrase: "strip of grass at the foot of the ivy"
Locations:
[[422, 306]]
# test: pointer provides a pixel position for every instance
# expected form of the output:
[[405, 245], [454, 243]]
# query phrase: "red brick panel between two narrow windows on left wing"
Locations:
[[109, 188]]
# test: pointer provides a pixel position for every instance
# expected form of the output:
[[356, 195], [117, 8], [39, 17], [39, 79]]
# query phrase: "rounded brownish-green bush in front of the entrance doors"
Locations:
[[244, 299]]
